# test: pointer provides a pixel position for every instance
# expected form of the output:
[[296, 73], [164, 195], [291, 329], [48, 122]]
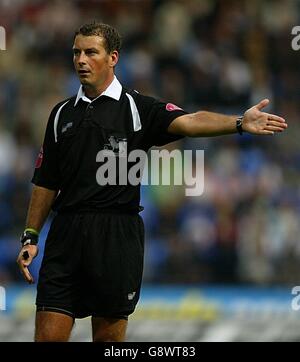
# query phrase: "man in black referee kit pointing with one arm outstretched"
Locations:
[[93, 258]]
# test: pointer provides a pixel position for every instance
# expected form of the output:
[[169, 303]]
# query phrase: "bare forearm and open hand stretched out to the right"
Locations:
[[206, 124]]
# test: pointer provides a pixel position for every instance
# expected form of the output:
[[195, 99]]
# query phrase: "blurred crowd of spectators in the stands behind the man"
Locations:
[[214, 55]]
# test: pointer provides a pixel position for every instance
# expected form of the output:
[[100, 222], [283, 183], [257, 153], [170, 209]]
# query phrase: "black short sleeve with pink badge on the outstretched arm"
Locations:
[[158, 116]]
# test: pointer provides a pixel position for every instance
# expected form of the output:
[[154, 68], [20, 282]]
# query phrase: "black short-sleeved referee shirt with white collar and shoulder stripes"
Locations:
[[79, 128]]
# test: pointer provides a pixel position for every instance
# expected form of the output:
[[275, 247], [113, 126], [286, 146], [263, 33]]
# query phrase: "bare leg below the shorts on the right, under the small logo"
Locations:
[[109, 329]]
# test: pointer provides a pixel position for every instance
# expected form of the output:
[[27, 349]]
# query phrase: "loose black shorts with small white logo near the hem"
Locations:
[[92, 265]]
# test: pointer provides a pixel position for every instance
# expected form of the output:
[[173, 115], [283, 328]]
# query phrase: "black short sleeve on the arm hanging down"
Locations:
[[46, 173]]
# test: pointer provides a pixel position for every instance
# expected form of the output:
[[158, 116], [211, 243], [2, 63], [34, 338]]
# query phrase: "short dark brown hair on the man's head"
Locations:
[[112, 39]]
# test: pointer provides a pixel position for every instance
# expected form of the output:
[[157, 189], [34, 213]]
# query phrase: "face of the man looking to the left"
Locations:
[[93, 64]]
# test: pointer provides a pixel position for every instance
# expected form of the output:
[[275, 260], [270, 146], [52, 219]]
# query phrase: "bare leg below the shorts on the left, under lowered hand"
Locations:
[[52, 327]]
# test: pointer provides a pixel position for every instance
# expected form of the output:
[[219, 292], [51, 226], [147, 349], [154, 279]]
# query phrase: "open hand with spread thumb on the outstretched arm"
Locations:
[[257, 122]]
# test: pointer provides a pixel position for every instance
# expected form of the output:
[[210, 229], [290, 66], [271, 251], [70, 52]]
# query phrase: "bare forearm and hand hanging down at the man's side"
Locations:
[[39, 207]]
